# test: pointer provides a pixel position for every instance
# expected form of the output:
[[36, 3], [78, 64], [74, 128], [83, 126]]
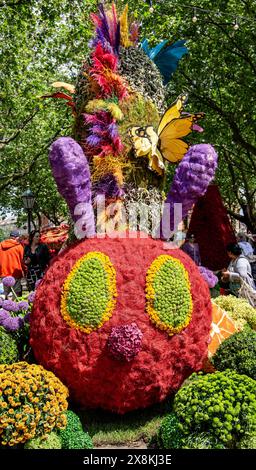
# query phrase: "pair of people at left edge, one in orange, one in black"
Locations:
[[19, 259]]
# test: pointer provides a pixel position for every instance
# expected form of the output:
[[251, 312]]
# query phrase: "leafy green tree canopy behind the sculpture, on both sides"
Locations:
[[43, 41]]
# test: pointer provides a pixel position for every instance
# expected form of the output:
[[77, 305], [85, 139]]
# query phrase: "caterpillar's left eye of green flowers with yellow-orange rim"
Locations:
[[88, 295]]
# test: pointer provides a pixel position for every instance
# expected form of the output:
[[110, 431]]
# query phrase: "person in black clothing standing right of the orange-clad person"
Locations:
[[36, 258]]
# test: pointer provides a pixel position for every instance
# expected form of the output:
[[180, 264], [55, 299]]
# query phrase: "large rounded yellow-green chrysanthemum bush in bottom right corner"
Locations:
[[222, 404]]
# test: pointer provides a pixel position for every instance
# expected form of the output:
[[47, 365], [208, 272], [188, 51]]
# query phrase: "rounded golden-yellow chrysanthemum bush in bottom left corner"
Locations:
[[33, 402]]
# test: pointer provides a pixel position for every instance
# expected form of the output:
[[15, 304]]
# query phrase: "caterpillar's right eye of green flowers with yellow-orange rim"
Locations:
[[169, 301]]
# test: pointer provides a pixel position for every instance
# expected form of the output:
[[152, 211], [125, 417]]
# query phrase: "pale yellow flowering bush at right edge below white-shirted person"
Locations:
[[238, 309]]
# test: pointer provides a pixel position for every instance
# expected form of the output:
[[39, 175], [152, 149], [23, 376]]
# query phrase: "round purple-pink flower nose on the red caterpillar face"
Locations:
[[125, 341]]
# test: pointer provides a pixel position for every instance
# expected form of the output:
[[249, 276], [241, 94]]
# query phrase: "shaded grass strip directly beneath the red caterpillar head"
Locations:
[[107, 428]]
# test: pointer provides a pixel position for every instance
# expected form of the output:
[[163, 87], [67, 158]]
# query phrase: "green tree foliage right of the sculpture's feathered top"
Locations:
[[219, 74]]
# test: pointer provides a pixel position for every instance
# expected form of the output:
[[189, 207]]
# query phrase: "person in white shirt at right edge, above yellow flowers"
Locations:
[[239, 269]]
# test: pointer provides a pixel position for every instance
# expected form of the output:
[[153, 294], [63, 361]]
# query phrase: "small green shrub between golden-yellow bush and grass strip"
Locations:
[[73, 436]]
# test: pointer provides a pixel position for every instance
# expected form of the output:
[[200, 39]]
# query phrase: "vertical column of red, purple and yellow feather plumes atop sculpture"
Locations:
[[103, 112]]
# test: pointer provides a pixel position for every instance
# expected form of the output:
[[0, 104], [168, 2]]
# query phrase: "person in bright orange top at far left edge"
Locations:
[[11, 262]]
